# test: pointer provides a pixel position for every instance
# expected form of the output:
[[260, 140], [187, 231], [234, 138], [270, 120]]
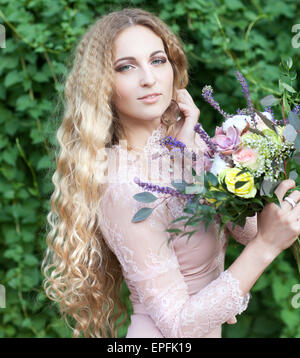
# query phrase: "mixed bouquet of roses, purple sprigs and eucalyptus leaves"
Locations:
[[246, 159]]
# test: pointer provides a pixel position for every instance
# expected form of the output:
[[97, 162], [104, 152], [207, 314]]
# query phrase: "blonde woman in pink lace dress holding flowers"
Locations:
[[177, 289]]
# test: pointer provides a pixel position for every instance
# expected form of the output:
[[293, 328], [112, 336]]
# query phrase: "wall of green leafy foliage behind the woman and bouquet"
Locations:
[[220, 37]]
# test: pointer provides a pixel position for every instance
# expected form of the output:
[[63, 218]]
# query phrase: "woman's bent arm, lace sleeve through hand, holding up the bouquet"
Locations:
[[150, 265]]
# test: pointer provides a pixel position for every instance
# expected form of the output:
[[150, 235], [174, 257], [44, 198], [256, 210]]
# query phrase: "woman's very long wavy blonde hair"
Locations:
[[81, 273]]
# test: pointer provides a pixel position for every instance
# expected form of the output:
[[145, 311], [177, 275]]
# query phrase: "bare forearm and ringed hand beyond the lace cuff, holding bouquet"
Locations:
[[277, 230]]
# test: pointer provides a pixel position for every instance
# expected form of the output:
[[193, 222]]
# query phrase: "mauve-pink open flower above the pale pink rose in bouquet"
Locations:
[[227, 142]]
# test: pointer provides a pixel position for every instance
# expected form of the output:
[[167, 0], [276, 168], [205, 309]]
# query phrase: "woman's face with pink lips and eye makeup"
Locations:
[[146, 70]]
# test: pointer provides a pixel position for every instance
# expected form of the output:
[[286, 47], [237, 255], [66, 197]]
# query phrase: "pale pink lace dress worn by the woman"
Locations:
[[177, 289]]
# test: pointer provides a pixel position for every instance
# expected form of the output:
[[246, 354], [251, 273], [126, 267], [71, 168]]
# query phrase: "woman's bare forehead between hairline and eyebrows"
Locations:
[[136, 40]]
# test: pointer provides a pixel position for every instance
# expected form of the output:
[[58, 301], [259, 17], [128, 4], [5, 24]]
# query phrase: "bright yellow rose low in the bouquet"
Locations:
[[248, 190]]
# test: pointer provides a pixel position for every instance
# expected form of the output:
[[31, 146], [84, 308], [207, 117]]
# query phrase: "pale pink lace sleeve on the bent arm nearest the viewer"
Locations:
[[150, 265]]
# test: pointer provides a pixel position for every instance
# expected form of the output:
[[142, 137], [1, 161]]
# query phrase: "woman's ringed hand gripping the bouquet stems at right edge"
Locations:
[[278, 228]]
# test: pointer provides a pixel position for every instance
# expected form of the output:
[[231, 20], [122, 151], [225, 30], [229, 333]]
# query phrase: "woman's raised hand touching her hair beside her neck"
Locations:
[[191, 113]]
